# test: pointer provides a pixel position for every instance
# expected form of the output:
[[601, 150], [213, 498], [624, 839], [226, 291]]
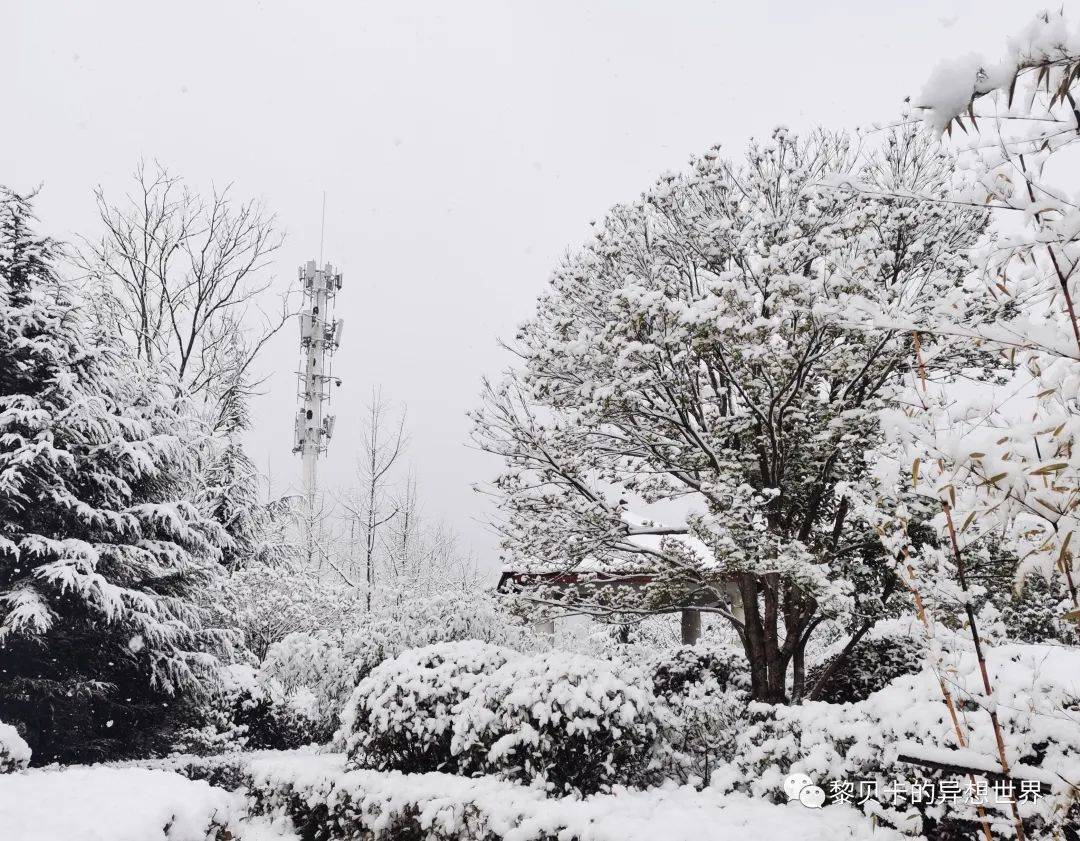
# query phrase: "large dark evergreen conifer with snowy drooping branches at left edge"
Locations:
[[101, 559]]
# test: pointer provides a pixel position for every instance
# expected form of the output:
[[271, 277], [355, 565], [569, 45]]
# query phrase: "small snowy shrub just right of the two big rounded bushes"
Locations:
[[706, 689]]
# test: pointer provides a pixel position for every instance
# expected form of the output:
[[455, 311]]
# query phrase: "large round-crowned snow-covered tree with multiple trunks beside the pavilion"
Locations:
[[694, 400]]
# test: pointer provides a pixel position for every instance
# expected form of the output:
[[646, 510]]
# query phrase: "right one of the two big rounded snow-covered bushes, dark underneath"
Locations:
[[565, 723]]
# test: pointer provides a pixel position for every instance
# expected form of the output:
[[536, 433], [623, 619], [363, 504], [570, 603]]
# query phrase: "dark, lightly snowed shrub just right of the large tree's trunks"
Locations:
[[871, 666]]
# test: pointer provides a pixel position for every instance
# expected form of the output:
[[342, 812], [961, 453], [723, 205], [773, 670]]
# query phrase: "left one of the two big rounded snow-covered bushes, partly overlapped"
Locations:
[[401, 716]]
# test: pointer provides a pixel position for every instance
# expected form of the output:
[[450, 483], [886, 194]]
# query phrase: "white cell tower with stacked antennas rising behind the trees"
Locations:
[[320, 336]]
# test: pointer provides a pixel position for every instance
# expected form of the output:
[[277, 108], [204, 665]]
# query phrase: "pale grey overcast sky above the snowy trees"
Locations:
[[464, 147]]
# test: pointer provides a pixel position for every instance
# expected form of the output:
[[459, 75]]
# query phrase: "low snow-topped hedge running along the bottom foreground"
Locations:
[[330, 803]]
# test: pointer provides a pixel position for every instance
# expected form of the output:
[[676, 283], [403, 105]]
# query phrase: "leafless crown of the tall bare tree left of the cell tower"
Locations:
[[183, 278]]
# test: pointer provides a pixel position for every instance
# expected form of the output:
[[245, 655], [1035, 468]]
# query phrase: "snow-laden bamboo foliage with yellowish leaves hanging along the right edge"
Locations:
[[1006, 462]]
